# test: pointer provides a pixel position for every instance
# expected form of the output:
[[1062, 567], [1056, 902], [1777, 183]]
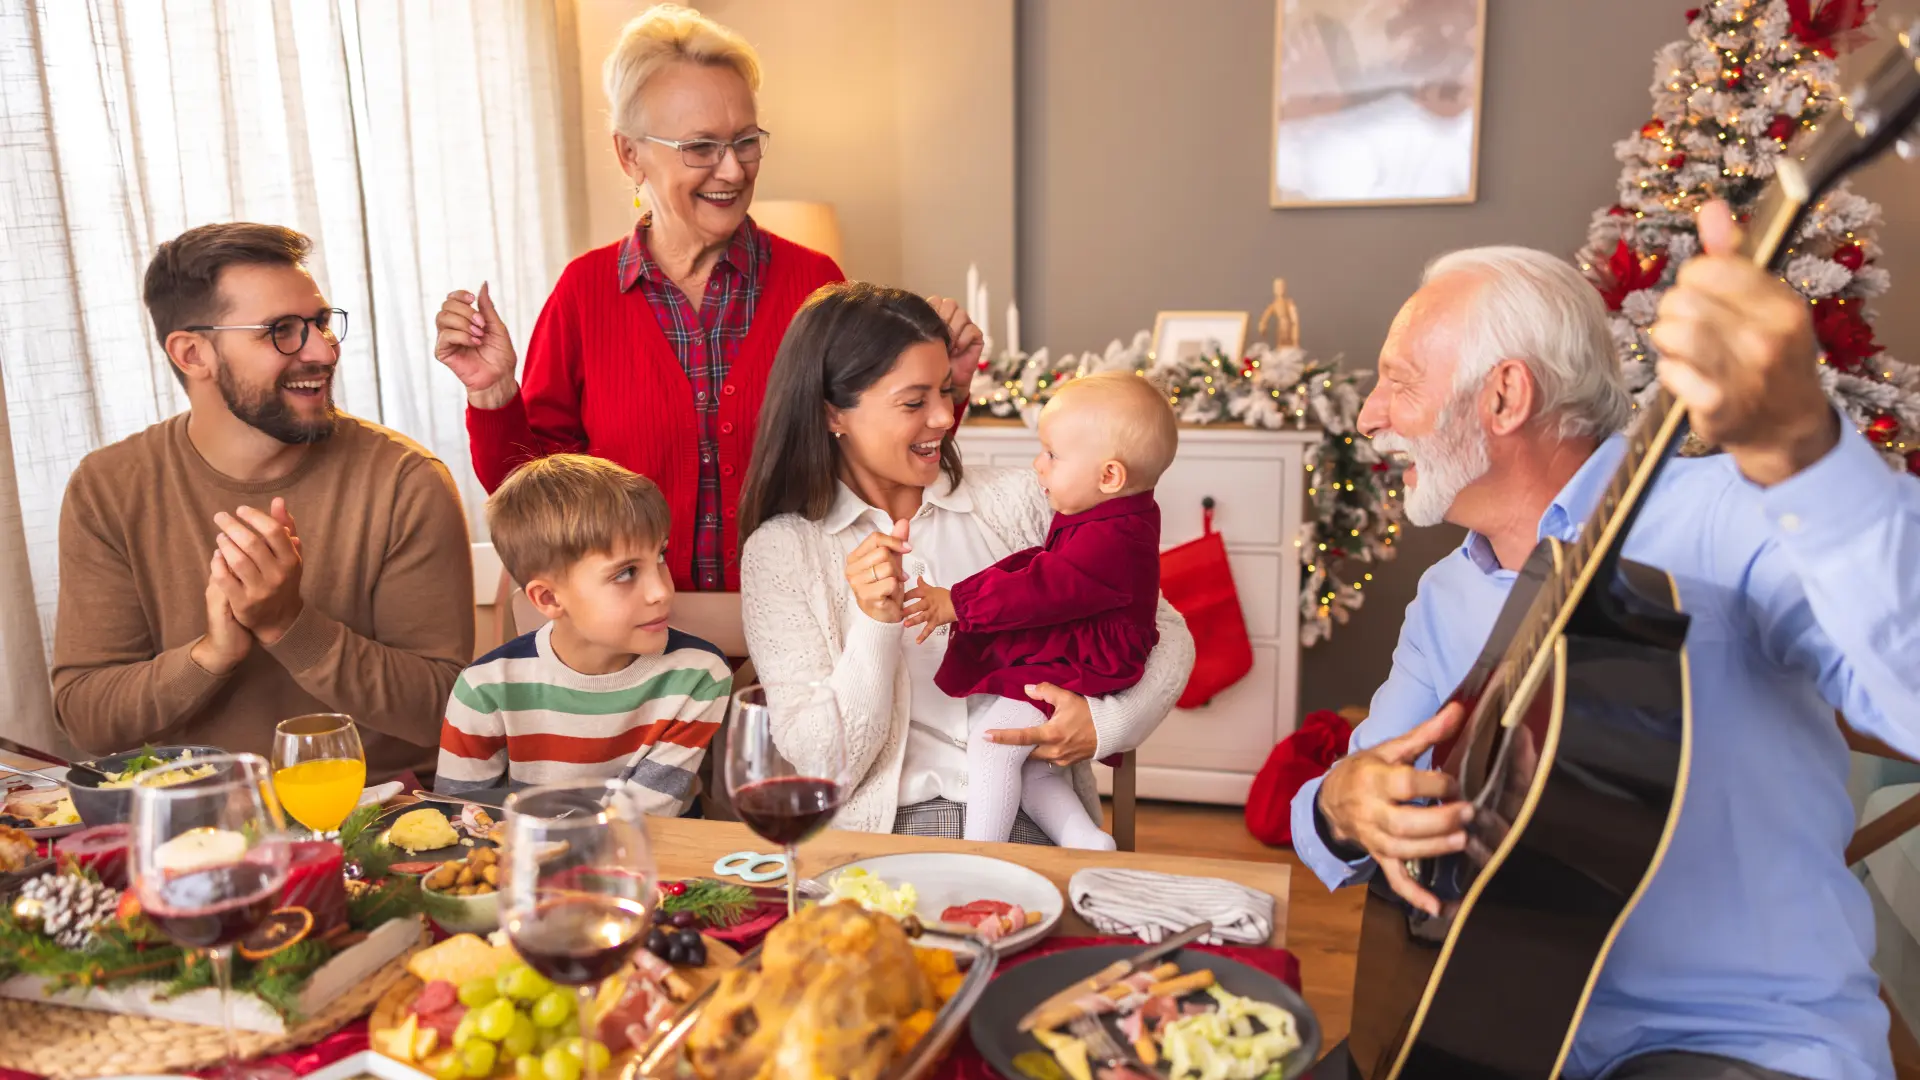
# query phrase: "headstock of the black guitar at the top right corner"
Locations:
[[1884, 114]]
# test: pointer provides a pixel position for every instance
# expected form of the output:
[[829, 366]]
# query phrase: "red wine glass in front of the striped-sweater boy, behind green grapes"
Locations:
[[577, 887]]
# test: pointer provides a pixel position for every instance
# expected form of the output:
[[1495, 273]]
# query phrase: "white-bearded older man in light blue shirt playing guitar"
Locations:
[[1798, 558]]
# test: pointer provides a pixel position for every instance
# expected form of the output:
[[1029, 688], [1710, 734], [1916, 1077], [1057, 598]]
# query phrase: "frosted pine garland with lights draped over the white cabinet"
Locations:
[[1355, 495]]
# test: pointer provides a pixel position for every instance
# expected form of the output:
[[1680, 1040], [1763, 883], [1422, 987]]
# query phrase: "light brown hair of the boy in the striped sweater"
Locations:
[[558, 510]]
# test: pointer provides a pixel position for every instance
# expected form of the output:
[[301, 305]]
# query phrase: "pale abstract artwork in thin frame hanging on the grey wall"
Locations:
[[1376, 103]]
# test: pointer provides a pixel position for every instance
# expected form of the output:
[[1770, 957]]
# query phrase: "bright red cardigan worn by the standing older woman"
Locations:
[[602, 380]]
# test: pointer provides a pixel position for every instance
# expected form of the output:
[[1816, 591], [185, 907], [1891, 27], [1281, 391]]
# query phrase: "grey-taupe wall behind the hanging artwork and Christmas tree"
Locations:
[[1143, 185]]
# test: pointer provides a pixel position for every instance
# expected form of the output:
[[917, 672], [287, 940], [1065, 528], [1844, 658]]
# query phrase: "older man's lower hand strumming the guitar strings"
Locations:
[[1370, 800]]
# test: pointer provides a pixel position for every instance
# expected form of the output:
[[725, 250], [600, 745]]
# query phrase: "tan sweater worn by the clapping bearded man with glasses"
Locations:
[[387, 581]]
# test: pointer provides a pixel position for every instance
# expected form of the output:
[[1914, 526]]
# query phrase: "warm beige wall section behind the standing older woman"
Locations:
[[898, 114]]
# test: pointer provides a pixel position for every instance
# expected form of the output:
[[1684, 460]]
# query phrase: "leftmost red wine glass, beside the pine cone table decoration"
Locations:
[[210, 856]]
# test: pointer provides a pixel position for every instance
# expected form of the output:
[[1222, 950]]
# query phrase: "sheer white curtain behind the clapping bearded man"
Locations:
[[420, 143]]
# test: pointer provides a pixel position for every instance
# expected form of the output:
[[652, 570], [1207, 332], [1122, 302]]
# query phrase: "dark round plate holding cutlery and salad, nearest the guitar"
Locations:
[[996, 1025]]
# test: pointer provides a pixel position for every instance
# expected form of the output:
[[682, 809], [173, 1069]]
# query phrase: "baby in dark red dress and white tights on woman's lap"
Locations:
[[1076, 612]]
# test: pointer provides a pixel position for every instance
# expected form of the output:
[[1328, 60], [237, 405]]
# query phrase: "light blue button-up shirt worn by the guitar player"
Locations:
[[1754, 939]]
